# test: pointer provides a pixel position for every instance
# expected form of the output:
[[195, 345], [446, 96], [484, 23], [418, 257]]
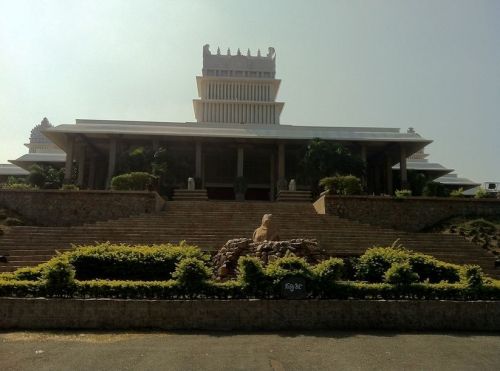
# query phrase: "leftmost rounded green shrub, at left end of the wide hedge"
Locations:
[[59, 276]]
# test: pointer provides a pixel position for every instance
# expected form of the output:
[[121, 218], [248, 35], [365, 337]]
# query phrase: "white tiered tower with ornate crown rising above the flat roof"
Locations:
[[238, 89]]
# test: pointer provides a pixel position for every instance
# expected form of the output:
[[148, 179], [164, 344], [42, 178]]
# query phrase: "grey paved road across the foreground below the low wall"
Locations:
[[242, 351]]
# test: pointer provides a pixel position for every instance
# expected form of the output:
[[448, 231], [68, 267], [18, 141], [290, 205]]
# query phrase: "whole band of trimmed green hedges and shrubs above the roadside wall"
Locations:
[[183, 272]]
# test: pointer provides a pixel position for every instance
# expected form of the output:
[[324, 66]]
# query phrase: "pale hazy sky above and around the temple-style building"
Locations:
[[433, 65]]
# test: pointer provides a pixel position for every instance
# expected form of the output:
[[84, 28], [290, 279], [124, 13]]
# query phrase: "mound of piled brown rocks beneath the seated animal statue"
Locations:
[[226, 259]]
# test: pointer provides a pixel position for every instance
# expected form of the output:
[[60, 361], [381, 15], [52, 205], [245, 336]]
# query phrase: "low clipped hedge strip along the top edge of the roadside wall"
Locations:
[[237, 290]]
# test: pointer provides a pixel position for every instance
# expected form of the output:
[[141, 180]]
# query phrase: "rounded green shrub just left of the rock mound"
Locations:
[[191, 274]]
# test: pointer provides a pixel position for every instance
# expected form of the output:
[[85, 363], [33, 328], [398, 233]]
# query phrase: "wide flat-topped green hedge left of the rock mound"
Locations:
[[125, 262]]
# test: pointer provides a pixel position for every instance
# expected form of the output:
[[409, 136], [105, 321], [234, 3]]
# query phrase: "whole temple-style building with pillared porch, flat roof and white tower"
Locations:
[[237, 134]]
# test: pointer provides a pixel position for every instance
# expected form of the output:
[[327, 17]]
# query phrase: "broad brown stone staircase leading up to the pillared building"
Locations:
[[209, 224]]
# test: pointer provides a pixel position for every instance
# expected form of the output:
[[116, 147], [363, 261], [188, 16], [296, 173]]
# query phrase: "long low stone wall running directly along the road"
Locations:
[[17, 313]]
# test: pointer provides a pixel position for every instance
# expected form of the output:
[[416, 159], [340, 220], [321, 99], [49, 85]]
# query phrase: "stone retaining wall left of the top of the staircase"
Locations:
[[65, 208]]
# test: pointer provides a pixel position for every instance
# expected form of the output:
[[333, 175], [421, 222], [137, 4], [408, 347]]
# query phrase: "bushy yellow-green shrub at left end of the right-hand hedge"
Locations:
[[373, 264]]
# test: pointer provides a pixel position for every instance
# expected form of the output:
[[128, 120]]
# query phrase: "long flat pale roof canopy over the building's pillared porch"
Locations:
[[103, 129]]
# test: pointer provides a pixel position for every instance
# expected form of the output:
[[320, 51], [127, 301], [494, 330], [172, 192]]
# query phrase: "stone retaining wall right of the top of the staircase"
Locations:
[[411, 214]]
